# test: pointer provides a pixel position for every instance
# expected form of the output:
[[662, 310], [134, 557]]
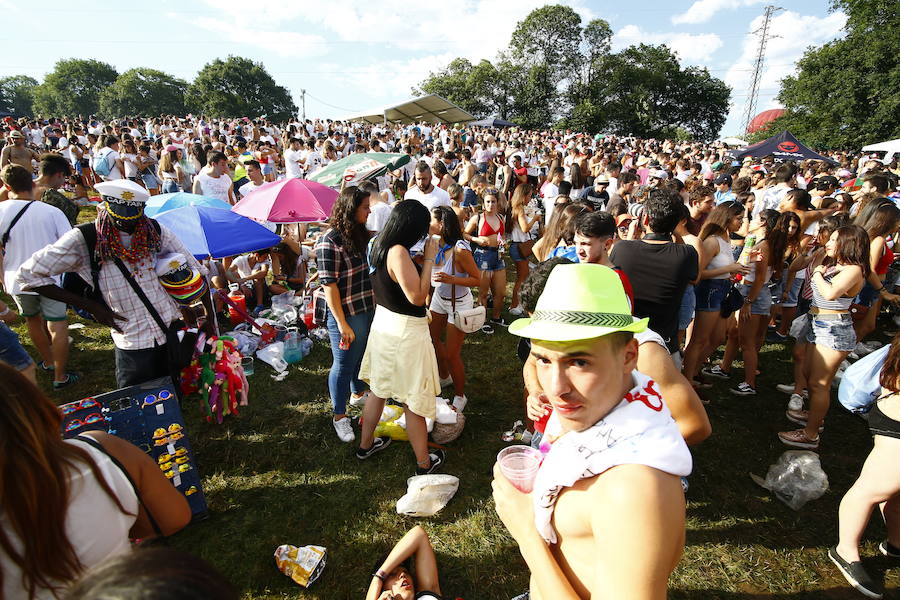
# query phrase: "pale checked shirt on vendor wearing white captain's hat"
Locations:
[[70, 254]]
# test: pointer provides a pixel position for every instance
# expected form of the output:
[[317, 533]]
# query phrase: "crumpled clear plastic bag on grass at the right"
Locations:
[[796, 478]]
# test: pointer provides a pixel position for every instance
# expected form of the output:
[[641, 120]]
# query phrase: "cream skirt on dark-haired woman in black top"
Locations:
[[400, 363]]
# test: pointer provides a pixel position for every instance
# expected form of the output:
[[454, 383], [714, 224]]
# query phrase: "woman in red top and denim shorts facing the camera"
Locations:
[[485, 231]]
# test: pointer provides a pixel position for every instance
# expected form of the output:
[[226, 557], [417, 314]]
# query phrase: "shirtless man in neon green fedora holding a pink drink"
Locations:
[[605, 518]]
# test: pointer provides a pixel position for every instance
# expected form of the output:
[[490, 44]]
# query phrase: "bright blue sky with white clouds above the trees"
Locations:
[[351, 56]]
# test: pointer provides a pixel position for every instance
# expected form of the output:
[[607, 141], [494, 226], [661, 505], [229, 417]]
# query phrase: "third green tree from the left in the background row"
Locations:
[[143, 92]]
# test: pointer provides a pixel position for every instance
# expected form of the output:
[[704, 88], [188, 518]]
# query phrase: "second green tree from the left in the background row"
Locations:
[[73, 88]]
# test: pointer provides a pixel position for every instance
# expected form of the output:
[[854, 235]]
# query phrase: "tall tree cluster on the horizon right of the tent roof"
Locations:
[[557, 71]]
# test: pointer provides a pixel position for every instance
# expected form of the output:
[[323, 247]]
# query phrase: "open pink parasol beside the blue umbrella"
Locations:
[[288, 201]]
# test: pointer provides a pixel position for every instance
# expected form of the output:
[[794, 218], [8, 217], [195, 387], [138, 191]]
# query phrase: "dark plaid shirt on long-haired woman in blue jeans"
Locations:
[[351, 273]]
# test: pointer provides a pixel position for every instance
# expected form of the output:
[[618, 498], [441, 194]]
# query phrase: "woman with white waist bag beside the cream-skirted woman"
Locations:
[[453, 275]]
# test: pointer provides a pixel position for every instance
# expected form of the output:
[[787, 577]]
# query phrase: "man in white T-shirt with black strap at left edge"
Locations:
[[39, 225]]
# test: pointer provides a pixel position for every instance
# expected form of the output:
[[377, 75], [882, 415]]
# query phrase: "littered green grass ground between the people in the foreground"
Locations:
[[277, 474]]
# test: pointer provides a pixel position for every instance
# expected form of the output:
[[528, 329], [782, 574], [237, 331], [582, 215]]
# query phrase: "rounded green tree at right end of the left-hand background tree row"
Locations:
[[238, 87]]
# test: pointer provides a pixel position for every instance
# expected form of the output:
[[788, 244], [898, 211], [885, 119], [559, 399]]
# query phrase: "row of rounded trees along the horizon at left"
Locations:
[[233, 87]]
